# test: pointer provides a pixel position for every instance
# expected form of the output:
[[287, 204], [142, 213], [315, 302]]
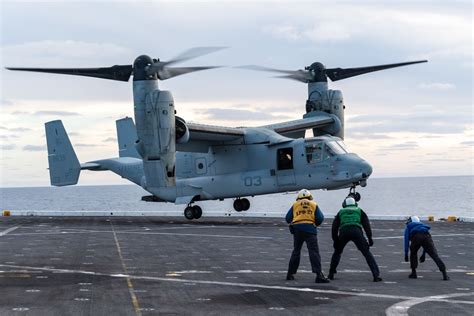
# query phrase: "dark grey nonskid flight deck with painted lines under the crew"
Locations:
[[217, 266]]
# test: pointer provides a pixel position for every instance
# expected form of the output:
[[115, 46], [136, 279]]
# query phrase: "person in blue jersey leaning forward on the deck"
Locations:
[[417, 235]]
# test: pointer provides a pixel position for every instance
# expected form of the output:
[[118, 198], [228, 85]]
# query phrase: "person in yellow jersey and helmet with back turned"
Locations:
[[303, 218]]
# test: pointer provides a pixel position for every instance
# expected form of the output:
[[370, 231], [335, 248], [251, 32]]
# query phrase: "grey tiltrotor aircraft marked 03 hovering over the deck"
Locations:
[[183, 162]]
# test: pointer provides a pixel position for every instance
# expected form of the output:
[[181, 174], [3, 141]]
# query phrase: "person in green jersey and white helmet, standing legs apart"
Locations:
[[347, 226]]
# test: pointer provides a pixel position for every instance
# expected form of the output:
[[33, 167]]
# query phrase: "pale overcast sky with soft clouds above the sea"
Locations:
[[408, 121]]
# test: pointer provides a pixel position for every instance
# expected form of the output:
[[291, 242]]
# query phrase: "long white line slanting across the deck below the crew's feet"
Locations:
[[246, 285]]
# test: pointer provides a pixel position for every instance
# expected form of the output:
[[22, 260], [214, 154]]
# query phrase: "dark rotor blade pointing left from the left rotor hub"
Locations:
[[117, 72]]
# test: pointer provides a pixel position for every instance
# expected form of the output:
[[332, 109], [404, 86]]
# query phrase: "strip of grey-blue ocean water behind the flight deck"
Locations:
[[423, 196]]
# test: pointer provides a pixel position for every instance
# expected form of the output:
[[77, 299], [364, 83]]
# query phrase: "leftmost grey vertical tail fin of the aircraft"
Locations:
[[64, 167]]
